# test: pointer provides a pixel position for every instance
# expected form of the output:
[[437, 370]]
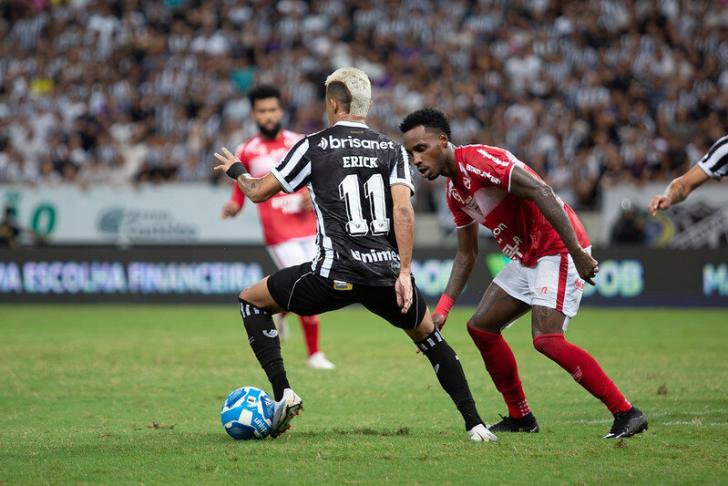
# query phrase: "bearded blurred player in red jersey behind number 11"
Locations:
[[289, 224]]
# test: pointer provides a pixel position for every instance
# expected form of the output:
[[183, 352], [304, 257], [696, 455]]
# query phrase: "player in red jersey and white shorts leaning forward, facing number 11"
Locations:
[[550, 253]]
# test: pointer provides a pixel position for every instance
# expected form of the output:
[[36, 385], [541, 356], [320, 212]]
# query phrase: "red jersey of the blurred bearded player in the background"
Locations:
[[282, 216]]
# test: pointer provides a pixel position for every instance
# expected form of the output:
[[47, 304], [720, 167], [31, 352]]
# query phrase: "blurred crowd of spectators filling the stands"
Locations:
[[588, 93]]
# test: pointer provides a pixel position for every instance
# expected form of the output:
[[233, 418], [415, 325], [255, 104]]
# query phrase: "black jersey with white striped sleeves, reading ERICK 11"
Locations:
[[349, 170]]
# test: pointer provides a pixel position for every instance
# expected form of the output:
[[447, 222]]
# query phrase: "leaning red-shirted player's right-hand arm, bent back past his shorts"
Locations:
[[526, 186]]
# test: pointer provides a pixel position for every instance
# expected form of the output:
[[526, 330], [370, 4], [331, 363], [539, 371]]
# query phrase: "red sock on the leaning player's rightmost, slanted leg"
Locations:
[[583, 368]]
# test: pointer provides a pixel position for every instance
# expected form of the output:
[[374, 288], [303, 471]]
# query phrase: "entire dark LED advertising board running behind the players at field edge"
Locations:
[[628, 276]]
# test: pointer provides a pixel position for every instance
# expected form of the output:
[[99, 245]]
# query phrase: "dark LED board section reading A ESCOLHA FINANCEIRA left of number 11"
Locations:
[[141, 274]]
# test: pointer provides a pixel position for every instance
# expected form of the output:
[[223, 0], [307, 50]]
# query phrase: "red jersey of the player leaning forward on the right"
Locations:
[[481, 194]]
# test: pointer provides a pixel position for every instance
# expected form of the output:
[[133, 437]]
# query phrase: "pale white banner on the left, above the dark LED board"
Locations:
[[127, 215]]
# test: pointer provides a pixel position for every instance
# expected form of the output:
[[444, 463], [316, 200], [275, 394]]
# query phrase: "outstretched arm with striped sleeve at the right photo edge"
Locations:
[[713, 165]]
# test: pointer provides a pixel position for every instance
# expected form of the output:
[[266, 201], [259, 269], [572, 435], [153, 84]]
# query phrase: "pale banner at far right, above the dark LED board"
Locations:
[[701, 221]]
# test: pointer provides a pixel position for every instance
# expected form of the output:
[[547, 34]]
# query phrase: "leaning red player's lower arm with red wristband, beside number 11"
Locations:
[[462, 267]]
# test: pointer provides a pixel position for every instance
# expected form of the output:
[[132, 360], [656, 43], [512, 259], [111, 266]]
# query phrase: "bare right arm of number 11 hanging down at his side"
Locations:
[[404, 231]]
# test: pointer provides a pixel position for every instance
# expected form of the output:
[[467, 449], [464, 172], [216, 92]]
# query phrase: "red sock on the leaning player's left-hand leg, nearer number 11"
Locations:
[[503, 369]]
